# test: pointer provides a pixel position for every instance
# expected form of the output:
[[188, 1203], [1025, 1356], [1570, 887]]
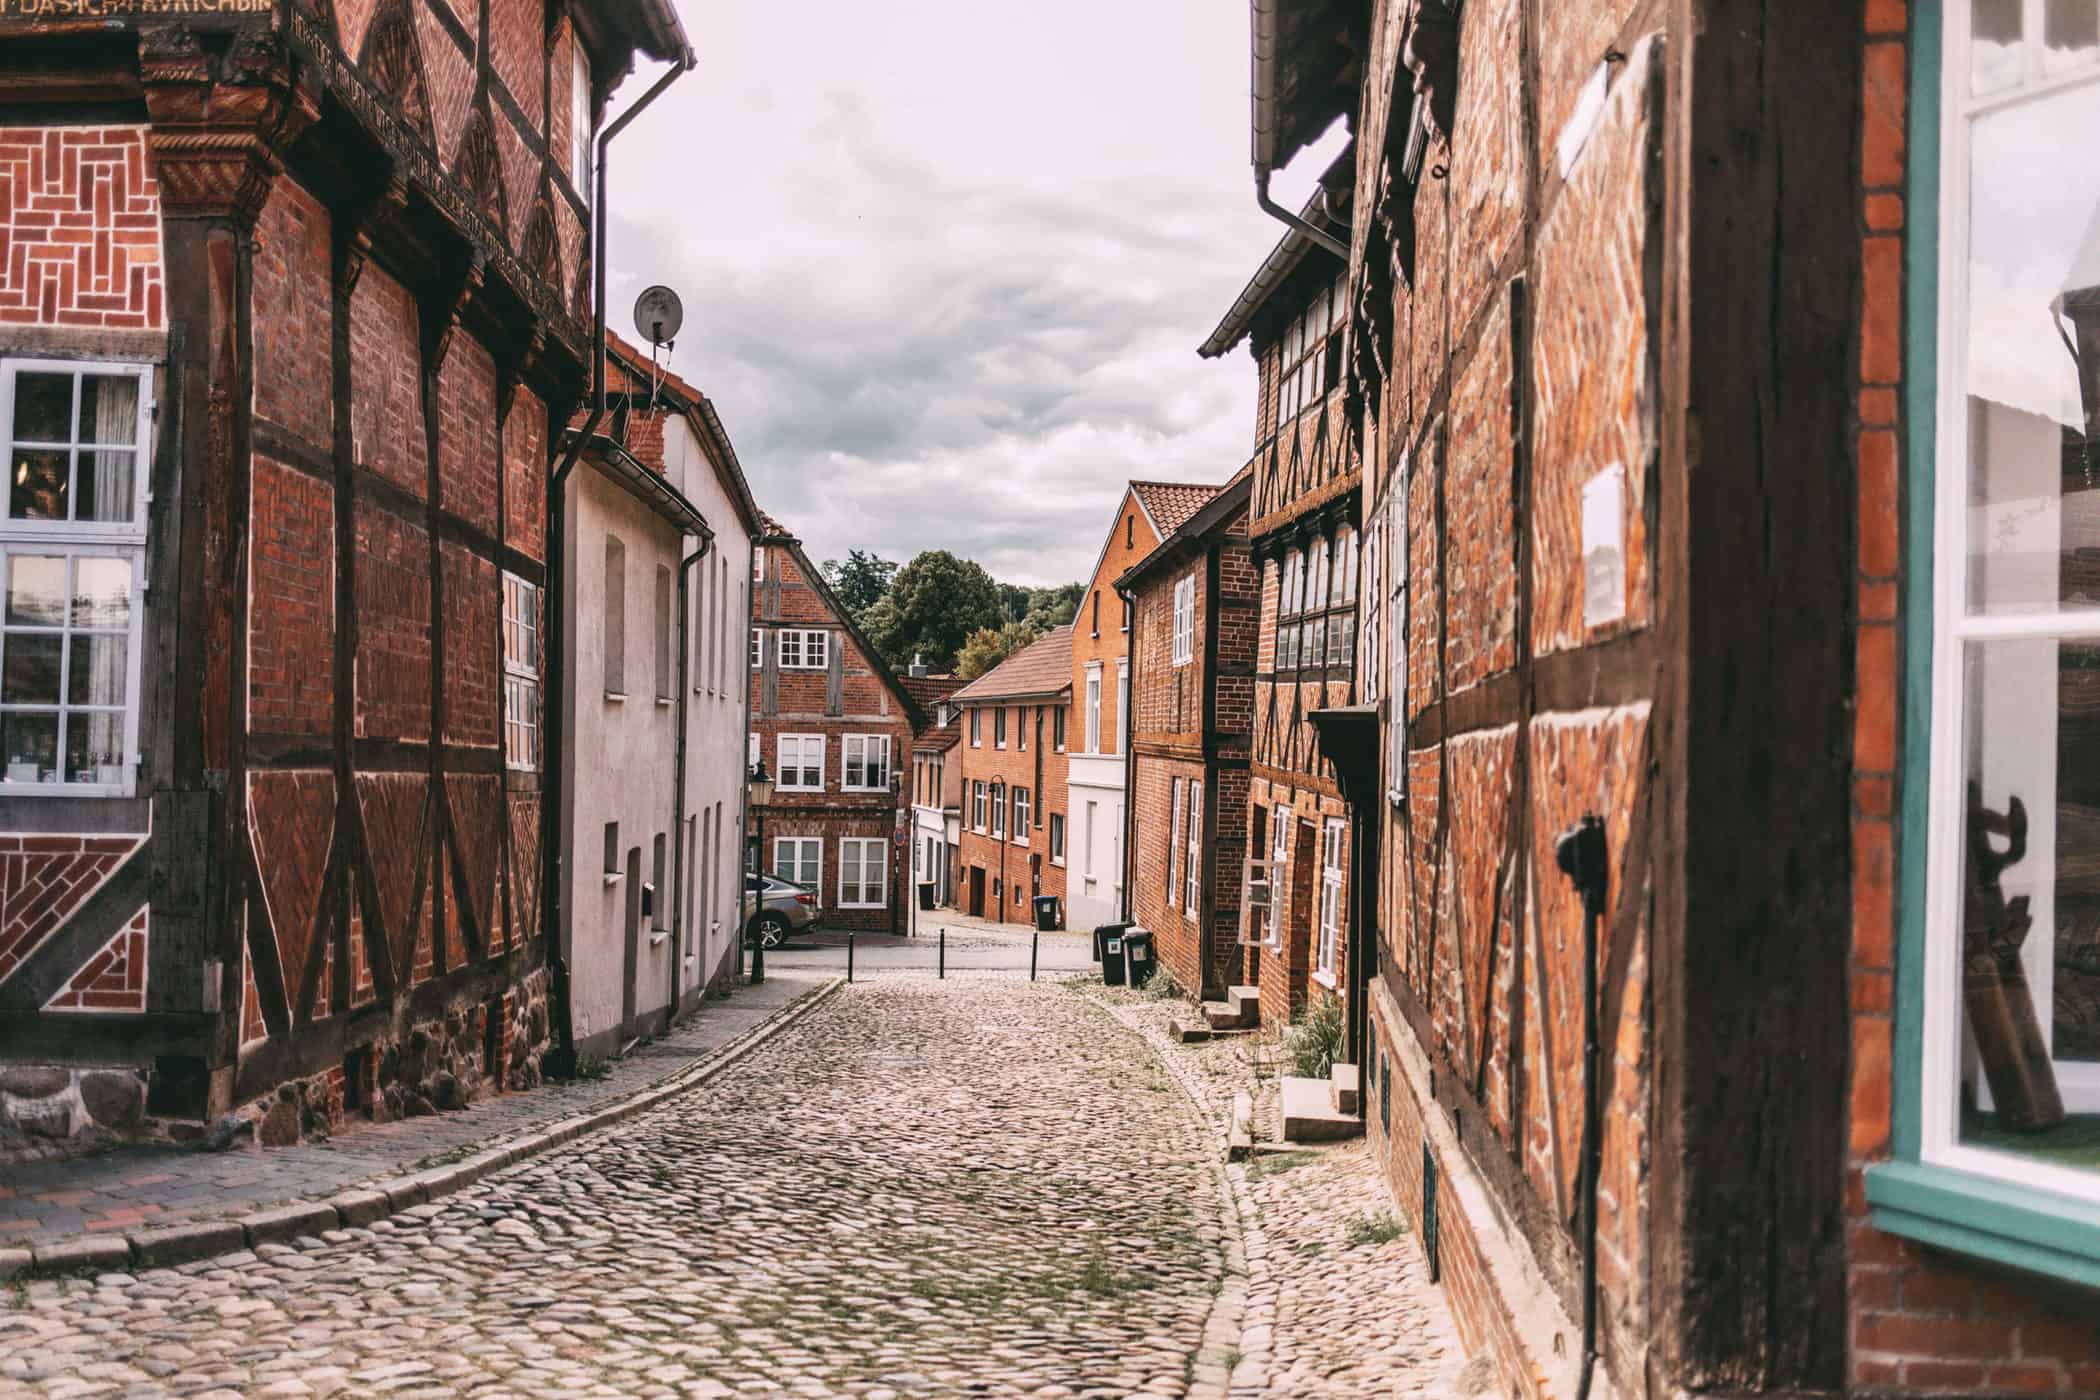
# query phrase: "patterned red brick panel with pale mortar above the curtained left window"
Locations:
[[79, 230]]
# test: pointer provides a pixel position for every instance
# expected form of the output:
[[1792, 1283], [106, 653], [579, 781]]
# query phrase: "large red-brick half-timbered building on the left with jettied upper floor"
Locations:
[[291, 297]]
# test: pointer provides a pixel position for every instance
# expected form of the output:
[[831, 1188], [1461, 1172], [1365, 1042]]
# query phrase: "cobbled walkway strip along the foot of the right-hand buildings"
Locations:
[[1322, 1242]]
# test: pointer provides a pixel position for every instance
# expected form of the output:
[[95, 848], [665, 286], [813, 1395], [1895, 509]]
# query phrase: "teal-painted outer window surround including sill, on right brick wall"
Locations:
[[2019, 1227]]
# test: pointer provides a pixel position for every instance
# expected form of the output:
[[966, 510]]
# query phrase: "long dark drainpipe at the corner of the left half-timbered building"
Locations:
[[562, 1061]]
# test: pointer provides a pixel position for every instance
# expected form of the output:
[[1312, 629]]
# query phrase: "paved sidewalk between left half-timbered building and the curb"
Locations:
[[163, 1185]]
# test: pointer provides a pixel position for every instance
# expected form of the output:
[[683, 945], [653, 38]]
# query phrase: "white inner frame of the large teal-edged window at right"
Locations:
[[1954, 633]]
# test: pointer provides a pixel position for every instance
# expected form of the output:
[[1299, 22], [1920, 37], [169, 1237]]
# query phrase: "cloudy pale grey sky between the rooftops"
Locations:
[[946, 263]]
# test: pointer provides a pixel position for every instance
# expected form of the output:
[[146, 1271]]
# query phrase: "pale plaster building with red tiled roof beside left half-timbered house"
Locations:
[[660, 532]]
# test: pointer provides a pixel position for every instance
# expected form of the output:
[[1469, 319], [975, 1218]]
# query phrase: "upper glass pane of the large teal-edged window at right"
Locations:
[[2034, 358]]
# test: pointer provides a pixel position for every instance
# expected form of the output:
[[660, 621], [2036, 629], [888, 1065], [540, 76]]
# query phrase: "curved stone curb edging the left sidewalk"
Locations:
[[362, 1206]]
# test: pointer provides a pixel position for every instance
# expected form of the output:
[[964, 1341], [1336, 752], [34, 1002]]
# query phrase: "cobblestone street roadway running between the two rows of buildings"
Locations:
[[921, 1189]]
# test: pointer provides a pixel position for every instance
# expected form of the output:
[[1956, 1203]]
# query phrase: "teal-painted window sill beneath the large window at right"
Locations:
[[2019, 1227]]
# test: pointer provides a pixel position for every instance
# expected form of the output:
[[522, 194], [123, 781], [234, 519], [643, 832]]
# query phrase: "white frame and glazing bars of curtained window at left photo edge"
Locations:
[[83, 540]]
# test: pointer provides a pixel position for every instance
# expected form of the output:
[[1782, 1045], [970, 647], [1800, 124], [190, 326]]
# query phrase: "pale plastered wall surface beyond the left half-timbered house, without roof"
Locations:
[[625, 750]]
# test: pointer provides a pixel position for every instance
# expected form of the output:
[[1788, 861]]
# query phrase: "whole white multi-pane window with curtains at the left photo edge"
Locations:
[[72, 564]]
